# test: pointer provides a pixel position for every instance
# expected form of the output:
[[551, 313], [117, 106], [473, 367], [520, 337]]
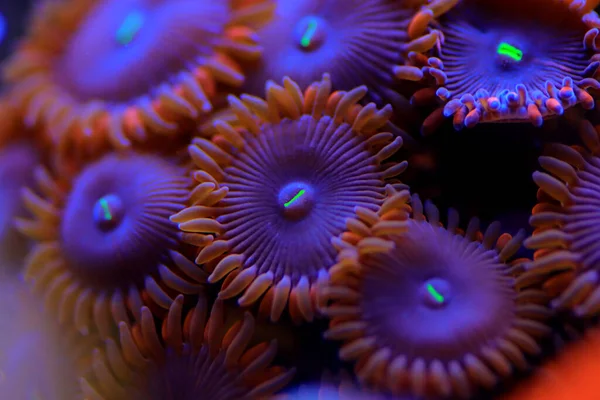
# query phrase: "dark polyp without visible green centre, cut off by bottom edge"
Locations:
[[189, 360]]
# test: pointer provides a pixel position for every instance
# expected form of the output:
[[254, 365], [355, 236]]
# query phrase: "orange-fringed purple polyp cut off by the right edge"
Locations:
[[567, 258]]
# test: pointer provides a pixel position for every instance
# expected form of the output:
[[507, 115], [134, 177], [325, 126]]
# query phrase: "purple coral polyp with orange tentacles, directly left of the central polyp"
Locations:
[[104, 242]]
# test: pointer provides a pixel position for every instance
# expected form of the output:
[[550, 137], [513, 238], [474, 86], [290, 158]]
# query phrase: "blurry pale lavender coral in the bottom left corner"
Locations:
[[38, 359]]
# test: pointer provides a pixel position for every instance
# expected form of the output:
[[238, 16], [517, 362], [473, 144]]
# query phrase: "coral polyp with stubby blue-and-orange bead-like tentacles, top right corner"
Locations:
[[494, 61]]
